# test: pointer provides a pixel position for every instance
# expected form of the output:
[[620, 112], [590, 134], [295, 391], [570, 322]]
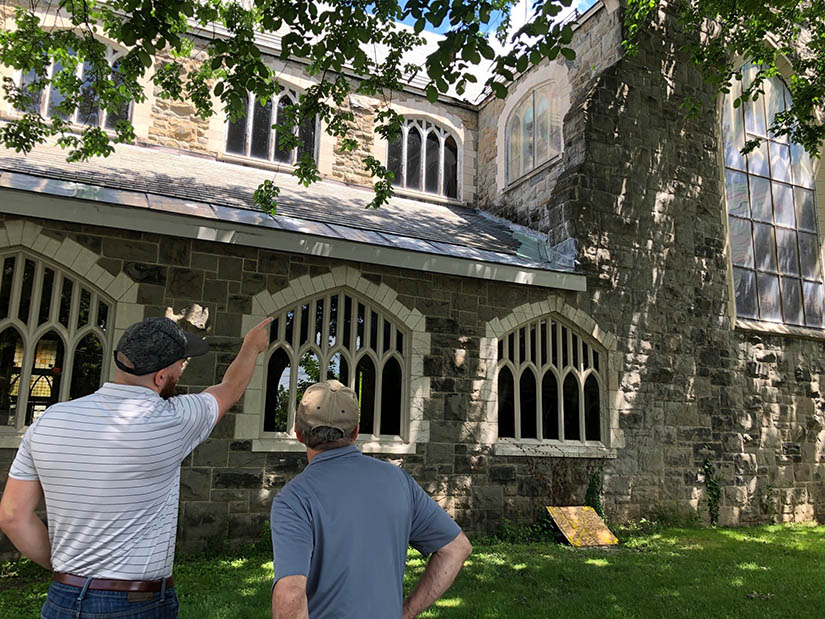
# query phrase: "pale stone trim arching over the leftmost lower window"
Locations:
[[80, 264]]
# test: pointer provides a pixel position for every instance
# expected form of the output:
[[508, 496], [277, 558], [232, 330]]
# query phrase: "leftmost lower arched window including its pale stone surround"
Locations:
[[71, 302]]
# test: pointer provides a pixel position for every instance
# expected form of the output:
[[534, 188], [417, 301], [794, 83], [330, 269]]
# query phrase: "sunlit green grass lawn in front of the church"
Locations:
[[769, 571]]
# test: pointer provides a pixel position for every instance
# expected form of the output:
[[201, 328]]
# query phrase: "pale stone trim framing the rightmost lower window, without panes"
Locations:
[[613, 437]]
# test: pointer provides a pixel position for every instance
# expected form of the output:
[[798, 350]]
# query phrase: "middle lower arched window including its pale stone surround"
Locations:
[[361, 321]]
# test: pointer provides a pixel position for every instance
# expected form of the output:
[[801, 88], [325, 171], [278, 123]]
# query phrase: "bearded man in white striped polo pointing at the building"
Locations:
[[108, 465]]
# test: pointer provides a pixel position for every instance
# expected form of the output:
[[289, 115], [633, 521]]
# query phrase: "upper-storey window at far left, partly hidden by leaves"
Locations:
[[88, 111]]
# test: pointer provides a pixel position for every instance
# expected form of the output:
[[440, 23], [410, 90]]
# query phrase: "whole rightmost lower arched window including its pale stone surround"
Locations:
[[557, 363]]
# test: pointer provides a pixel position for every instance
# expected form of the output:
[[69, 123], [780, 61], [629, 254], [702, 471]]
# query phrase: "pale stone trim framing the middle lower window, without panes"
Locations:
[[249, 423]]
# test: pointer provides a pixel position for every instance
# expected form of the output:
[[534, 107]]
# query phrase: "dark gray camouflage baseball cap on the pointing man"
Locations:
[[156, 343]]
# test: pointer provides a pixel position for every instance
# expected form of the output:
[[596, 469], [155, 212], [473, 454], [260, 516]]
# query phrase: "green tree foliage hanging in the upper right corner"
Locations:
[[768, 33]]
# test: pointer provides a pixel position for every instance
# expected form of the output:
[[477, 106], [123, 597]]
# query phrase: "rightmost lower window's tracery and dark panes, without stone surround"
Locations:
[[550, 386]]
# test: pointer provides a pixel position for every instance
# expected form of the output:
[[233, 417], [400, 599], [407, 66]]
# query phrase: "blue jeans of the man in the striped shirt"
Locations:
[[66, 602]]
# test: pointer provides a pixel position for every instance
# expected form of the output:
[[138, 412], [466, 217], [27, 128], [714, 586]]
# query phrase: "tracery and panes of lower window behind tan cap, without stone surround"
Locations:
[[338, 335]]
